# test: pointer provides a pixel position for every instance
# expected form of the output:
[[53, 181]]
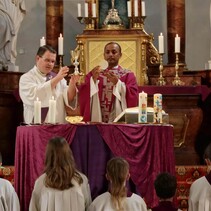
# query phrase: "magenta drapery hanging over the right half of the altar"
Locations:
[[148, 149]]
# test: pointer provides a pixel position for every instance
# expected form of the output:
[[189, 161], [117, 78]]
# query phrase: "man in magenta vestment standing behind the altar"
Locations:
[[108, 92]]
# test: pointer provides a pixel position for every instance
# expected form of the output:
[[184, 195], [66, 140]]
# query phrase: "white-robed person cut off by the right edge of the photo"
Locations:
[[200, 190]]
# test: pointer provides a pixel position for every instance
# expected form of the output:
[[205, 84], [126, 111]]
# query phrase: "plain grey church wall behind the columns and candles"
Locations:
[[198, 30]]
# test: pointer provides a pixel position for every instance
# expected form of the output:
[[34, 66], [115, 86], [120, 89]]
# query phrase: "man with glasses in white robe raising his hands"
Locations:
[[42, 83]]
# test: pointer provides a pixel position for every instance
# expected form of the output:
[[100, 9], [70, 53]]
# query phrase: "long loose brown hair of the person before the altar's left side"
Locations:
[[60, 165]]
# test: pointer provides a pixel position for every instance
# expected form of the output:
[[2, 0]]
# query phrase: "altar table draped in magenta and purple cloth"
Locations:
[[147, 147]]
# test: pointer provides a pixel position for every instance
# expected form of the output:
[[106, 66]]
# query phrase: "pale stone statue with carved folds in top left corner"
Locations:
[[12, 13]]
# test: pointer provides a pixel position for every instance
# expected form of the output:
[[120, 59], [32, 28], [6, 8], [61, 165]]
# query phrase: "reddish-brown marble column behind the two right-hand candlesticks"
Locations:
[[176, 25]]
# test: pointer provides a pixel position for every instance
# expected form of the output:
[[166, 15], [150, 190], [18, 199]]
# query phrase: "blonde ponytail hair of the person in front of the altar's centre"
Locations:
[[117, 172]]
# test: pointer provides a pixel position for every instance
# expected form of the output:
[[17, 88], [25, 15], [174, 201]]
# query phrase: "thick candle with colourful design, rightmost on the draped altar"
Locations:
[[157, 103]]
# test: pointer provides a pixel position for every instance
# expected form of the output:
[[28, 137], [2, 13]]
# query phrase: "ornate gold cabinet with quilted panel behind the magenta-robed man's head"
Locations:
[[133, 52]]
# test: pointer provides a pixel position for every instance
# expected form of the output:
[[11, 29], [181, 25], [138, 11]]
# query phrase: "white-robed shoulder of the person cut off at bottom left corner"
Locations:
[[8, 198]]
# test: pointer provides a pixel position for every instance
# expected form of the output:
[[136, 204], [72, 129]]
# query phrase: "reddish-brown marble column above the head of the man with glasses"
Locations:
[[54, 22]]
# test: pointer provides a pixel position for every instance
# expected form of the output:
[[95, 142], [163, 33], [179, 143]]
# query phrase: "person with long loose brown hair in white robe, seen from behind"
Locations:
[[62, 186]]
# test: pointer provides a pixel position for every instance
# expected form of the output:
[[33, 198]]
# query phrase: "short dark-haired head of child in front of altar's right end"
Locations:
[[165, 185]]
